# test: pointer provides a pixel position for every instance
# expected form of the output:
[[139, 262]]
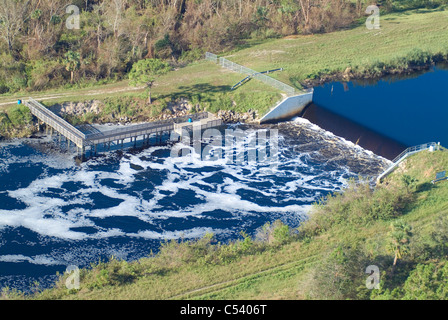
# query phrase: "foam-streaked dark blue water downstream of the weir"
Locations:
[[55, 212]]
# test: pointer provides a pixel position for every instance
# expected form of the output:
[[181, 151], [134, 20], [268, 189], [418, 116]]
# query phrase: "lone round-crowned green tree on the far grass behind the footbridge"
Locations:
[[144, 72]]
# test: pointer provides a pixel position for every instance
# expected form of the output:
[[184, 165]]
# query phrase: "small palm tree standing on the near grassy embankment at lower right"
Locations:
[[400, 238]]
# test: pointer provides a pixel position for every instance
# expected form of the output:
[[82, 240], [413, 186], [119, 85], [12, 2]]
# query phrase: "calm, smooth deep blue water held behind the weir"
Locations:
[[411, 111]]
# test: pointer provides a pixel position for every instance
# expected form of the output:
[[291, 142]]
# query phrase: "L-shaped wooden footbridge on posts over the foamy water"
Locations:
[[55, 124]]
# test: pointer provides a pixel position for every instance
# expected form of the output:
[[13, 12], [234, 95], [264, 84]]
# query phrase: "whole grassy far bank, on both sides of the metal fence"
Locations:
[[406, 40]]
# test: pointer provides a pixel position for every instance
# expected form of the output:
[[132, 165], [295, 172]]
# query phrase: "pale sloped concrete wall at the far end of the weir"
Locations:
[[288, 108]]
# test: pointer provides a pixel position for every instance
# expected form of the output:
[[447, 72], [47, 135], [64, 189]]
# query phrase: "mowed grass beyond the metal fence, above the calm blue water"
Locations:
[[305, 56]]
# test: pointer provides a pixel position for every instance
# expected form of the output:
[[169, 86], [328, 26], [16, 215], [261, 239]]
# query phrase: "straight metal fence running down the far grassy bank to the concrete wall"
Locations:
[[254, 74]]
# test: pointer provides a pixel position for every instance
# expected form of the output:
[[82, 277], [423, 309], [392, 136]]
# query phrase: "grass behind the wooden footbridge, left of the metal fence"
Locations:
[[203, 83]]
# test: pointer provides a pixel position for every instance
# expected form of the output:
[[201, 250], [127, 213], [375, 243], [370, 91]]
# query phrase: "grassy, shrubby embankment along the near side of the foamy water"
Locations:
[[326, 259]]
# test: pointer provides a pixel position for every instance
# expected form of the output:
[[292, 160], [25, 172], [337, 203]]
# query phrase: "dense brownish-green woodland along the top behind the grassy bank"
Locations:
[[41, 46]]
